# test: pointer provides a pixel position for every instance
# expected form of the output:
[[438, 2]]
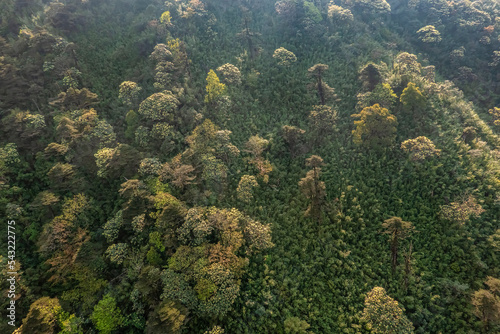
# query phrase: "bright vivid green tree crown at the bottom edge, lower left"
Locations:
[[107, 316]]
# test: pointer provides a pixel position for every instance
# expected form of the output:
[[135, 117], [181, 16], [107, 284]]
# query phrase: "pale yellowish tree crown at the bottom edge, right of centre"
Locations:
[[384, 315]]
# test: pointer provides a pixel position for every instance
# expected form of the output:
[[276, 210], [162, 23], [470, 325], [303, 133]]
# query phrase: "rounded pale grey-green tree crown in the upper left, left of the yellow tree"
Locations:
[[159, 107]]
